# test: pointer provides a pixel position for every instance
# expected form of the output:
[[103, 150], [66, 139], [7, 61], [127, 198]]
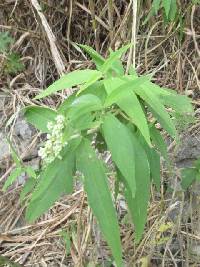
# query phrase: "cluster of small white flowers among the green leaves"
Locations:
[[54, 143]]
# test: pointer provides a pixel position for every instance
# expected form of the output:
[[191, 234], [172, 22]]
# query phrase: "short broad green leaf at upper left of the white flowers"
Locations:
[[39, 117]]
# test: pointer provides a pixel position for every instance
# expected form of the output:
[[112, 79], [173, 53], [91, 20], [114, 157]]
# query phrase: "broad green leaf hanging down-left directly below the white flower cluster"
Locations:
[[56, 179]]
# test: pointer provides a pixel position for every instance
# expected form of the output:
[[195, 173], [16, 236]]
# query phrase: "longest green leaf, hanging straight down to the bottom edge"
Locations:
[[99, 197]]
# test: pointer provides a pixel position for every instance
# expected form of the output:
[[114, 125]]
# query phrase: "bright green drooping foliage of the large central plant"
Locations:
[[113, 108]]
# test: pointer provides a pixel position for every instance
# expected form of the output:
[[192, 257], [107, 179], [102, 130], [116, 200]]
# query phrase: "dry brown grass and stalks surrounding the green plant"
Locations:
[[158, 50]]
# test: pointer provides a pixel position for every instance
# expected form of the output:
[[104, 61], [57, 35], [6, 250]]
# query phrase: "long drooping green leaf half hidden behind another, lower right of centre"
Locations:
[[138, 204]]
